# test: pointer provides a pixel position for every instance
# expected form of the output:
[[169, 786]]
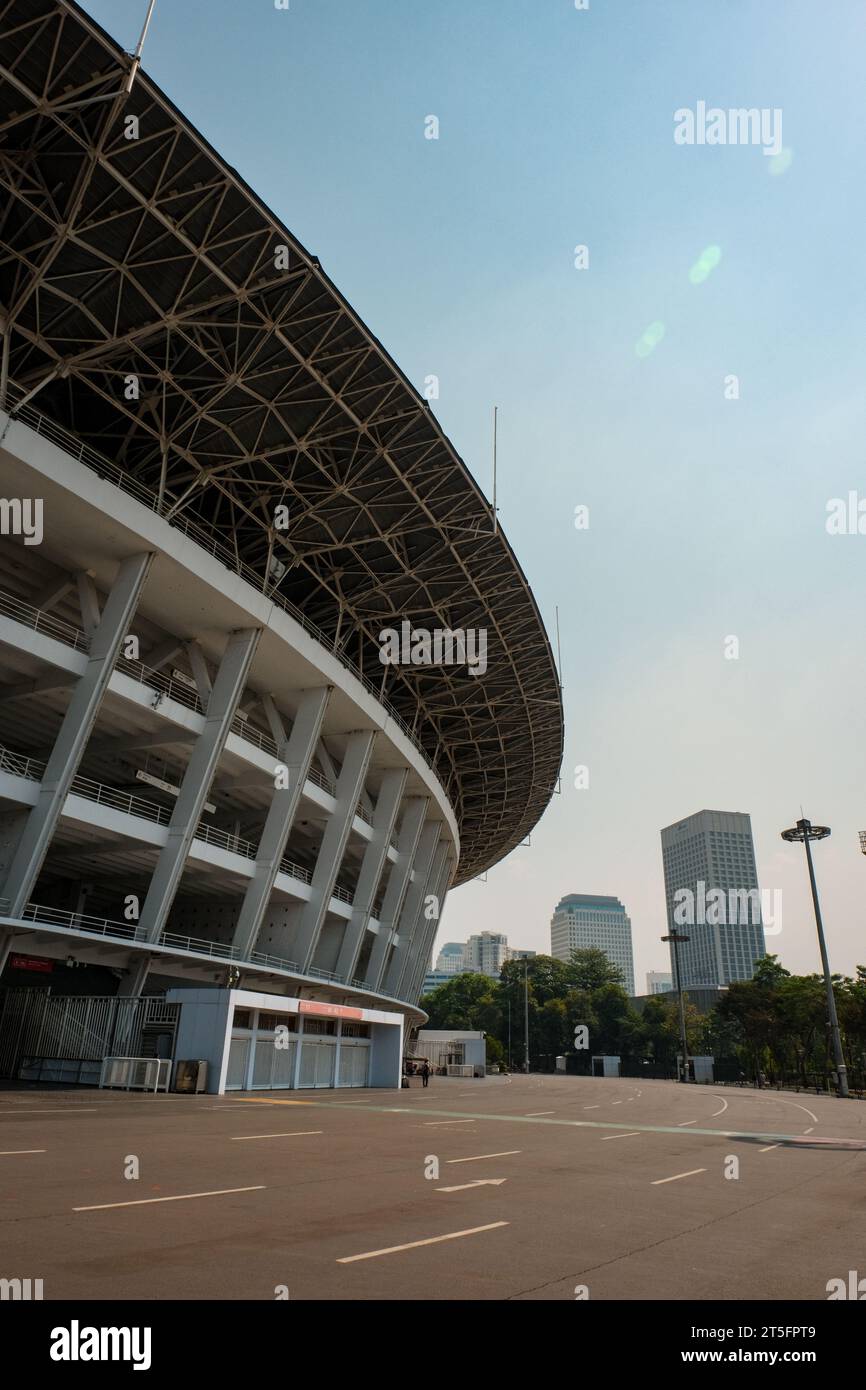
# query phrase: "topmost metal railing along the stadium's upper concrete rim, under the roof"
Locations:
[[202, 537]]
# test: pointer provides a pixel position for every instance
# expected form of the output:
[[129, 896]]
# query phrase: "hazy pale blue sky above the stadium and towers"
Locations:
[[707, 516]]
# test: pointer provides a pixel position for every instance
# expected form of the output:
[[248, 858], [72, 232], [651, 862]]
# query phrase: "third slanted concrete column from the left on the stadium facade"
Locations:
[[297, 754]]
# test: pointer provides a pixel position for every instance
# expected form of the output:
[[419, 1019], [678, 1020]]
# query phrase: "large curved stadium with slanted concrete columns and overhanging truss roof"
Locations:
[[220, 807]]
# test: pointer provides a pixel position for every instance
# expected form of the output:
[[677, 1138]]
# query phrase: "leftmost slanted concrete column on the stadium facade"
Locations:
[[76, 732]]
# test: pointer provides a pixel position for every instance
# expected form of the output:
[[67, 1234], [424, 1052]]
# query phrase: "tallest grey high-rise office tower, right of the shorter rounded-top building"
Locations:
[[711, 886]]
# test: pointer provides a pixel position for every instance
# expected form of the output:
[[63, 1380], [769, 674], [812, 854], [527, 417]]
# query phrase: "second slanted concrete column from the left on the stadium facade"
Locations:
[[208, 750]]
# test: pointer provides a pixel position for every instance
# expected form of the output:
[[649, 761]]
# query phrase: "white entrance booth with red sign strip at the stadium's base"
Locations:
[[265, 1042]]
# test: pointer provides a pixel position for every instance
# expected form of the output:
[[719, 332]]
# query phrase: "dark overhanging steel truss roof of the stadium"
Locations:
[[259, 387]]
